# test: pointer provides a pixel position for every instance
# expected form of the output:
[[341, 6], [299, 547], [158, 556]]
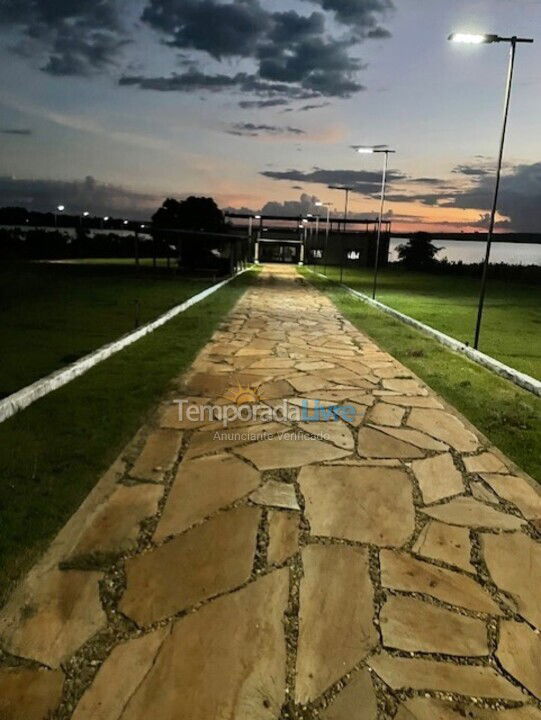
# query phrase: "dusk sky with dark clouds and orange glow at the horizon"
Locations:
[[111, 105]]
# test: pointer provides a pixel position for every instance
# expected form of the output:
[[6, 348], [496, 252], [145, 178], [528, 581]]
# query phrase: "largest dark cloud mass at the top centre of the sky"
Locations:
[[287, 47]]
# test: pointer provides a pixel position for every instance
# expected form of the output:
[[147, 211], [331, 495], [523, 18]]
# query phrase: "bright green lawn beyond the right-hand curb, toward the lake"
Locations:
[[512, 321]]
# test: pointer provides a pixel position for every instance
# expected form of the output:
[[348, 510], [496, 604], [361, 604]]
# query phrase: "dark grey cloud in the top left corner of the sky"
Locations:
[[75, 37]]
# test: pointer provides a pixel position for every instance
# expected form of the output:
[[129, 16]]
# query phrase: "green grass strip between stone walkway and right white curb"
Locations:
[[508, 416]]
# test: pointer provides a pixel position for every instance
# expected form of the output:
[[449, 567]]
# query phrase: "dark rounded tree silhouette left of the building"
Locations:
[[194, 213]]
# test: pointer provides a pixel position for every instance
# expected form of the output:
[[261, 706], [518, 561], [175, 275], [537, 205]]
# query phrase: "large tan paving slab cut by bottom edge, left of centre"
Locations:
[[227, 660]]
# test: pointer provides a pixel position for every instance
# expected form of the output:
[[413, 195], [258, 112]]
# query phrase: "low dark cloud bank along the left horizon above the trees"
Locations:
[[77, 195]]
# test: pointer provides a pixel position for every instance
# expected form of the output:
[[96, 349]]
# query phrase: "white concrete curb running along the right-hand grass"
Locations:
[[508, 373]]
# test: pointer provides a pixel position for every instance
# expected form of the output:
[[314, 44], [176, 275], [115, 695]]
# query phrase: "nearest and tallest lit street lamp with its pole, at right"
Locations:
[[480, 40]]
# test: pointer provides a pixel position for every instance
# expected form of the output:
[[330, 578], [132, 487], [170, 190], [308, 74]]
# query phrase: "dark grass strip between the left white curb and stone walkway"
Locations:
[[52, 453]]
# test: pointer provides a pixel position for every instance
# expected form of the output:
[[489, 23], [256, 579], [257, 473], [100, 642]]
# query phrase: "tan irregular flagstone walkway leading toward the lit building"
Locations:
[[386, 564]]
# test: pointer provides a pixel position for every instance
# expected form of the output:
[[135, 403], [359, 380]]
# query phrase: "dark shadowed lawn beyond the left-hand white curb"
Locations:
[[52, 314]]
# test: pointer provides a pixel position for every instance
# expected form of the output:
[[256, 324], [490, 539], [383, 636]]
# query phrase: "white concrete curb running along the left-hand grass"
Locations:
[[29, 394]]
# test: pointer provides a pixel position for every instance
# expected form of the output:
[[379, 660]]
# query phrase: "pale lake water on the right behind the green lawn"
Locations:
[[474, 252]]
